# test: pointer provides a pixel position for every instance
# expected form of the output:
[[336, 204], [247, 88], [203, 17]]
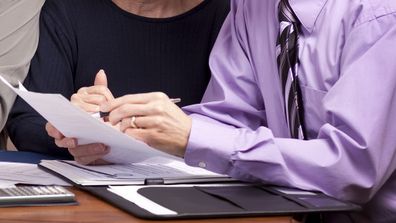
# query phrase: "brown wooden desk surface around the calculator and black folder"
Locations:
[[92, 209]]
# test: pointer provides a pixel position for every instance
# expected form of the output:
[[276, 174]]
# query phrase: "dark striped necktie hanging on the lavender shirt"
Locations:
[[287, 58]]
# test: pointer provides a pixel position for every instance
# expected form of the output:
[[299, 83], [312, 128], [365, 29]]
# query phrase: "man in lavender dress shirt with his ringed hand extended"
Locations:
[[347, 76]]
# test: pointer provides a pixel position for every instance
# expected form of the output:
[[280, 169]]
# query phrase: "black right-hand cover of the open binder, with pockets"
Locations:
[[206, 201]]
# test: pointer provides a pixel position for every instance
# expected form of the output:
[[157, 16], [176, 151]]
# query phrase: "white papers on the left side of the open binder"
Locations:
[[158, 170]]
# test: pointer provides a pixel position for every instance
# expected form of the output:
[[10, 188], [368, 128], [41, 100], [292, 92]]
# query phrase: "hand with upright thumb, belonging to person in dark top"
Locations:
[[90, 98]]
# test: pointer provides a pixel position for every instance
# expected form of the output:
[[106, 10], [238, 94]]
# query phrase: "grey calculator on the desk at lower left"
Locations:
[[35, 196]]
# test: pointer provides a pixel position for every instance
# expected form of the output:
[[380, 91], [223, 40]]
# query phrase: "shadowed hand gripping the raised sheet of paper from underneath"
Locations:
[[83, 154]]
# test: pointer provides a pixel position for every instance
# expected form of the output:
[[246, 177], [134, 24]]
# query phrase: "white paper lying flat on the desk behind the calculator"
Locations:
[[23, 173]]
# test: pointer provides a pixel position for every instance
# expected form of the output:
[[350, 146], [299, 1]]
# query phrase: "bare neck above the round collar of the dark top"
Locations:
[[157, 8]]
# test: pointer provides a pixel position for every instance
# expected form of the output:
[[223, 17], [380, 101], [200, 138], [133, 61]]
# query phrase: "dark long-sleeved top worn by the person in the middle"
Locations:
[[138, 53]]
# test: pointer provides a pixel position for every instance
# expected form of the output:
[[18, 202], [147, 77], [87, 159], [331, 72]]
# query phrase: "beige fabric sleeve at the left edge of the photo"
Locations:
[[19, 30]]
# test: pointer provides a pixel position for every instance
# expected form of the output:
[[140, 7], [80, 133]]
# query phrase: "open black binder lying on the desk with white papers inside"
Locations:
[[194, 193]]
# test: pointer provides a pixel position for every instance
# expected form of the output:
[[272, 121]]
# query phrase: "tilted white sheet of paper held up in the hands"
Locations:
[[73, 122]]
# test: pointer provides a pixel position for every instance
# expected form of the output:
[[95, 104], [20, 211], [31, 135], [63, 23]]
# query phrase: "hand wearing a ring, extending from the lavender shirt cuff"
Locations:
[[152, 118]]
